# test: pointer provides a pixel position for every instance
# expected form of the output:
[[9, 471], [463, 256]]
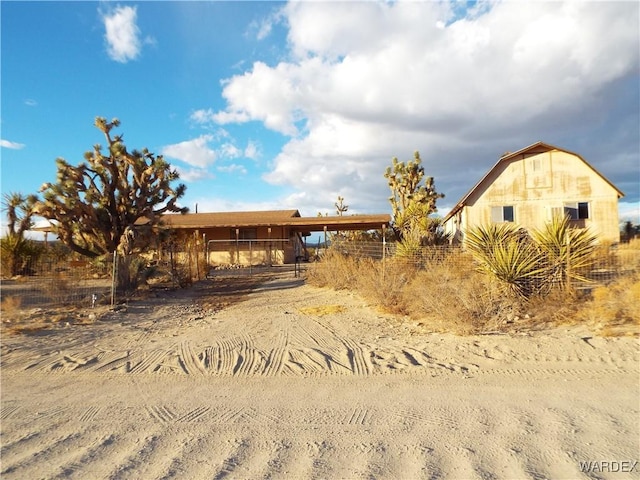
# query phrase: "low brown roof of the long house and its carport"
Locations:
[[279, 218]]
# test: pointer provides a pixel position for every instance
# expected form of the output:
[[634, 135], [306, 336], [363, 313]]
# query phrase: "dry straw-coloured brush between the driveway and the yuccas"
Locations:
[[448, 295]]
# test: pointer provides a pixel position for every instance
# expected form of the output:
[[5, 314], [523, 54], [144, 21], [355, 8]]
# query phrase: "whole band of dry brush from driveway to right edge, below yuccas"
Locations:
[[450, 295]]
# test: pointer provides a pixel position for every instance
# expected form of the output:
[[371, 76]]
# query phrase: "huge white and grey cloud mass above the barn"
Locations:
[[366, 81]]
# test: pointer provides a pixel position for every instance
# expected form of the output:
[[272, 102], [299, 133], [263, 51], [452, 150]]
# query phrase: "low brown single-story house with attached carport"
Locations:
[[261, 237]]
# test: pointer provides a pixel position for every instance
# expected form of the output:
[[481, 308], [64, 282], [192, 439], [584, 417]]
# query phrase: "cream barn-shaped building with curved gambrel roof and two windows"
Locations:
[[531, 185]]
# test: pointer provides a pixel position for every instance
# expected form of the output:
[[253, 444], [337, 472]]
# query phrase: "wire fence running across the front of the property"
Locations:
[[51, 282]]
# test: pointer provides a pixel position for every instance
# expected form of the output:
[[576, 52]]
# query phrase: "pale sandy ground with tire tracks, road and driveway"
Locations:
[[230, 379]]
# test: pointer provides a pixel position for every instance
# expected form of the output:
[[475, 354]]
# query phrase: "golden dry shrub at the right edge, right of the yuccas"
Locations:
[[614, 309]]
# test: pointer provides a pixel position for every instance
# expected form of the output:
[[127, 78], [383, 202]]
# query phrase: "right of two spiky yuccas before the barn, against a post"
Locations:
[[569, 251]]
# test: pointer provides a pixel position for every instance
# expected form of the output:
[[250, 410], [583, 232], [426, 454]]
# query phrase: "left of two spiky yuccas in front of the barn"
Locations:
[[504, 253]]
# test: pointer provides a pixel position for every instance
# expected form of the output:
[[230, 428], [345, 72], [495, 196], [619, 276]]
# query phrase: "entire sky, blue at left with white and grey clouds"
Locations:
[[265, 105]]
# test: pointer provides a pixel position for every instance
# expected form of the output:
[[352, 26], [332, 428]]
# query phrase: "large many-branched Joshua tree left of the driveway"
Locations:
[[108, 201]]
